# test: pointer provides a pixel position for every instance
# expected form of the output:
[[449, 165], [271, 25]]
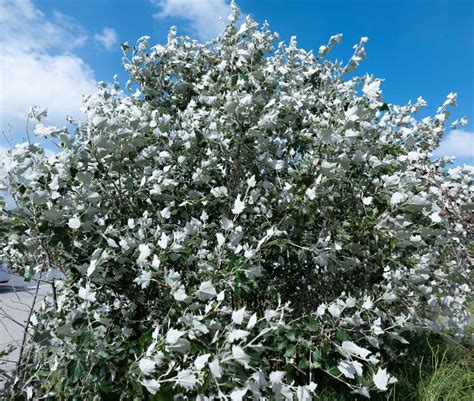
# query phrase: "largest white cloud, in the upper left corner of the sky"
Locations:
[[37, 67]]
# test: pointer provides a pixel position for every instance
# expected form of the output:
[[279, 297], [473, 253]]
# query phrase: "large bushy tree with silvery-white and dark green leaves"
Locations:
[[251, 223]]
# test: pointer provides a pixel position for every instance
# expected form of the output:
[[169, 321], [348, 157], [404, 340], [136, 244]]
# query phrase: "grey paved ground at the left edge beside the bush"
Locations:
[[16, 300]]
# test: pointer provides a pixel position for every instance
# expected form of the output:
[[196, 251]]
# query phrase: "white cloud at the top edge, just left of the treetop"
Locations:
[[206, 17]]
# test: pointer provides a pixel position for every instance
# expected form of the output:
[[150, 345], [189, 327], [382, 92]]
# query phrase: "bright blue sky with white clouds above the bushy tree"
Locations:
[[53, 51]]
